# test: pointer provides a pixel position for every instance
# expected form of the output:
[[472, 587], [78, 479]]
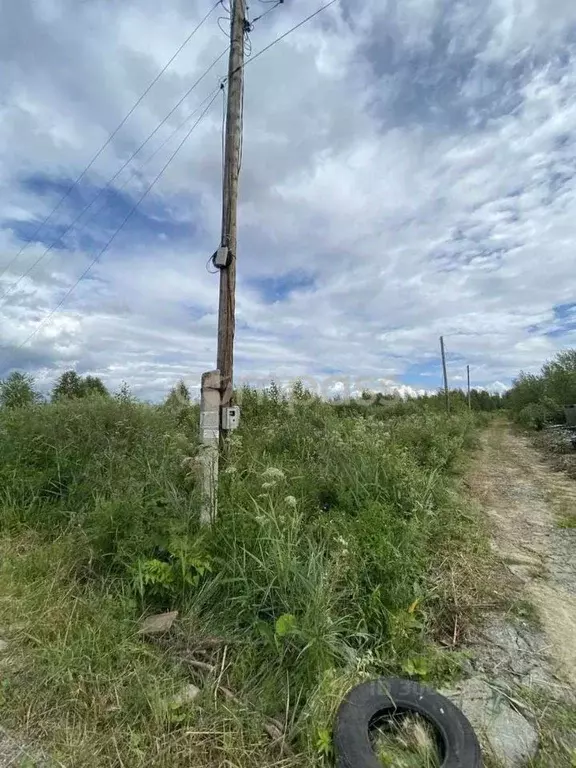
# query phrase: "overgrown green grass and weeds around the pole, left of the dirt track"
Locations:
[[340, 551]]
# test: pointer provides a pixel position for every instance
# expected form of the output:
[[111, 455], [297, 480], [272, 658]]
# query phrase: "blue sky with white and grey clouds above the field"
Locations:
[[409, 170]]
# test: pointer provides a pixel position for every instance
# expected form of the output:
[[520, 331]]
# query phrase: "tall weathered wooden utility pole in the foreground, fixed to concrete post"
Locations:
[[232, 154]]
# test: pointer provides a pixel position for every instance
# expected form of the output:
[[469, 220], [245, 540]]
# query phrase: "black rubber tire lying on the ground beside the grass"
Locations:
[[366, 703]]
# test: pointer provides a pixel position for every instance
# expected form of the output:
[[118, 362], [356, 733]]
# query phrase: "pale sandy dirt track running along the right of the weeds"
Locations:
[[525, 500]]
